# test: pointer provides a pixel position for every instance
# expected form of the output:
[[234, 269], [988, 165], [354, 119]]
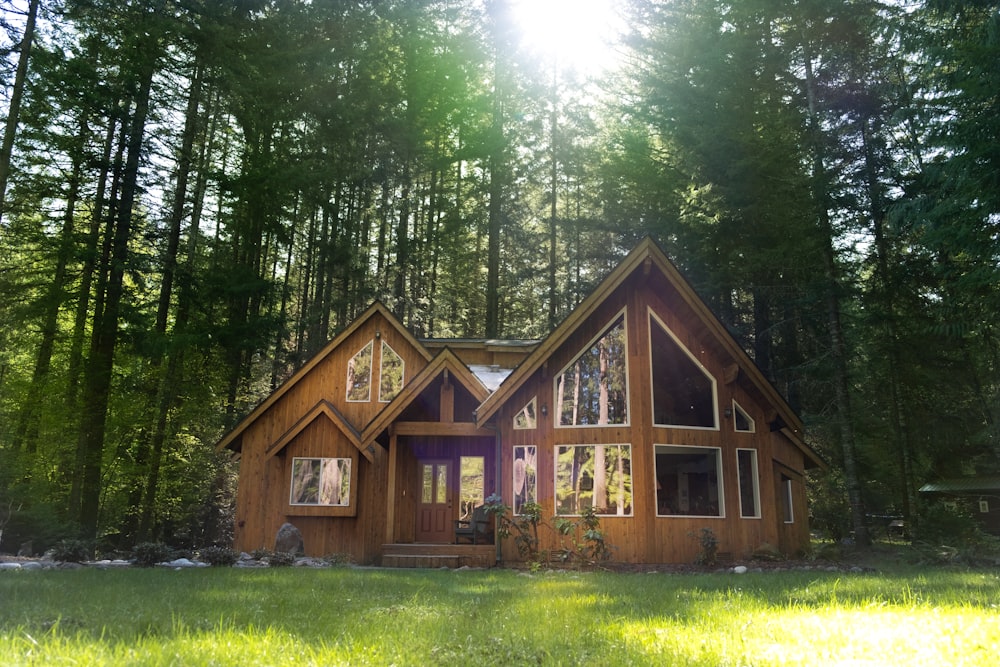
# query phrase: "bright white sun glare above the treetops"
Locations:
[[578, 34]]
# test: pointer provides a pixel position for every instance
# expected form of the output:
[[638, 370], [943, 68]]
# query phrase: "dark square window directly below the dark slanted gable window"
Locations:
[[689, 481]]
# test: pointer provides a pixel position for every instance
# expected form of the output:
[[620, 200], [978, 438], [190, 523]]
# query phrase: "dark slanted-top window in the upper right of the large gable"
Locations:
[[683, 391]]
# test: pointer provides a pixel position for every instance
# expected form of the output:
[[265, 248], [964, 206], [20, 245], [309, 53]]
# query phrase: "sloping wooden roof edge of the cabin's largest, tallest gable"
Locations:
[[647, 257]]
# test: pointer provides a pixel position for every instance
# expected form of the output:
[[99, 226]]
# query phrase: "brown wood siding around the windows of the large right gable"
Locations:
[[645, 537]]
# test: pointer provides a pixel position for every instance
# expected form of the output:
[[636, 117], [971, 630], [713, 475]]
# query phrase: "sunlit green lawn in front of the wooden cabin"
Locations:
[[342, 616]]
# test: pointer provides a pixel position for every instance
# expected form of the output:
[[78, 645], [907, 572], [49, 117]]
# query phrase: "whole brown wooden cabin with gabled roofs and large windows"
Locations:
[[639, 405]]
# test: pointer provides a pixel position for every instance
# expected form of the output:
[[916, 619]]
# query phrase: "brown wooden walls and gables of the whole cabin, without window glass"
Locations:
[[436, 417]]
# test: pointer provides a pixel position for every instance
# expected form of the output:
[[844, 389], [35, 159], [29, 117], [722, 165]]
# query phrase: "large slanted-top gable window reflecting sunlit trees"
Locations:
[[593, 390]]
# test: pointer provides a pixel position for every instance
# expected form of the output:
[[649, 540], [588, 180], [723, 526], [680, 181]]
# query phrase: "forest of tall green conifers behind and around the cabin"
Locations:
[[196, 194]]
